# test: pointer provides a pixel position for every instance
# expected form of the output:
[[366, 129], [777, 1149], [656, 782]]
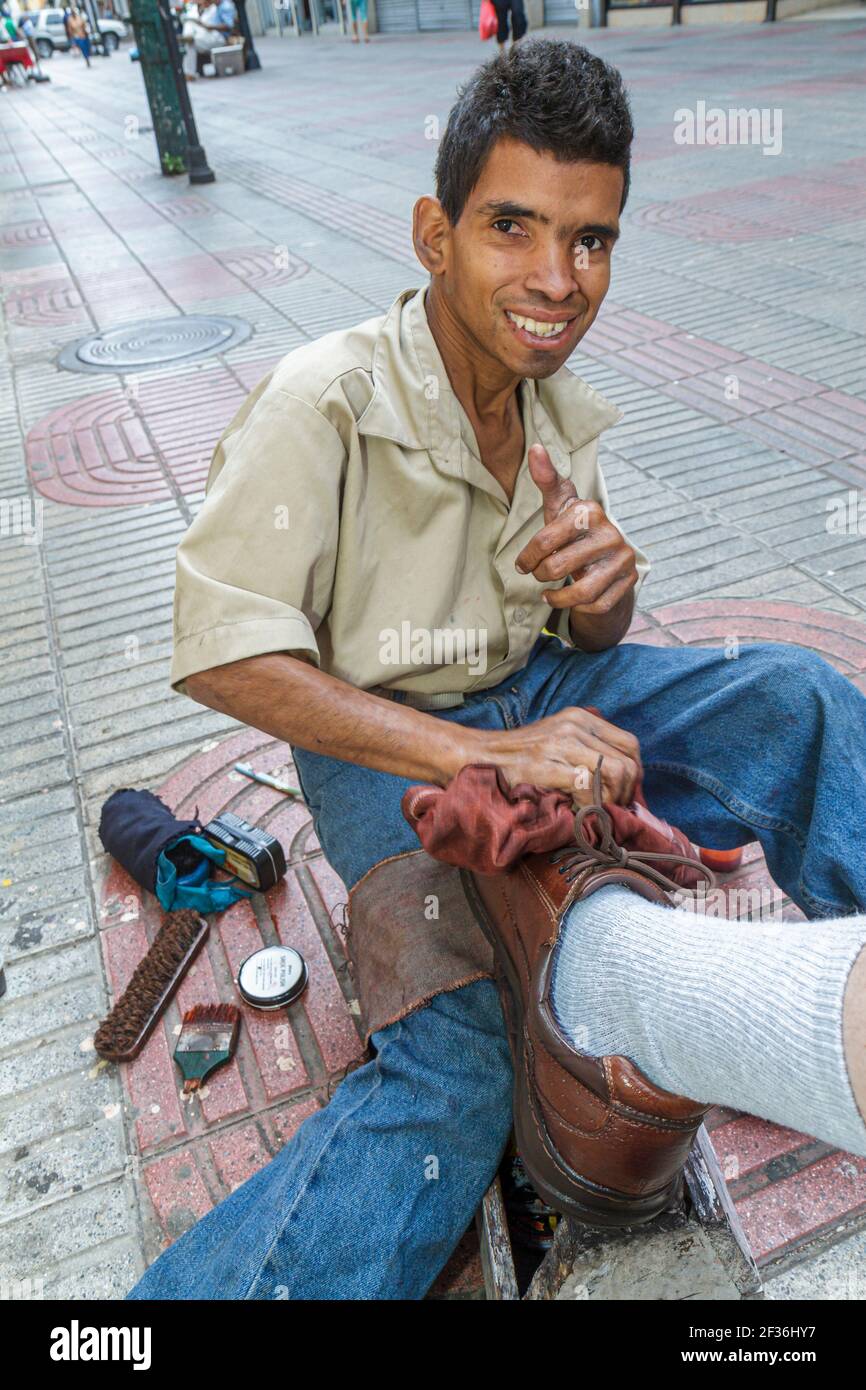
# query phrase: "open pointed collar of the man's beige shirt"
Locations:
[[414, 402]]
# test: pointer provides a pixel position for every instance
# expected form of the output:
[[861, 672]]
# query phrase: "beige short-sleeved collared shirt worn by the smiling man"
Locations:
[[350, 519]]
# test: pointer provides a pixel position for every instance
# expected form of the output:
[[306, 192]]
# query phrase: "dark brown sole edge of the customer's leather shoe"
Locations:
[[589, 1203]]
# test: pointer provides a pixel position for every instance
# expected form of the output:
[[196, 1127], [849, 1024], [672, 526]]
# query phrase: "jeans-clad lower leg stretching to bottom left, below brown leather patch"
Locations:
[[375, 1192]]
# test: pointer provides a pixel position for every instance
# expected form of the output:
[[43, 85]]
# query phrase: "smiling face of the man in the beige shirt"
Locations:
[[530, 256]]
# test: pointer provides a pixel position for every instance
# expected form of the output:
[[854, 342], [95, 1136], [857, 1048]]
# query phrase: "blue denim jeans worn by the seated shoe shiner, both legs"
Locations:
[[373, 1193]]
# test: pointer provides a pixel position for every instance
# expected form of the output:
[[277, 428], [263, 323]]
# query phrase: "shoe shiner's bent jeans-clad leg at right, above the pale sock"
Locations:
[[768, 744]]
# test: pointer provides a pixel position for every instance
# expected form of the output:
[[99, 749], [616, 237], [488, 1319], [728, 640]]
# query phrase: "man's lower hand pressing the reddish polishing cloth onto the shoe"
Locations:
[[562, 751]]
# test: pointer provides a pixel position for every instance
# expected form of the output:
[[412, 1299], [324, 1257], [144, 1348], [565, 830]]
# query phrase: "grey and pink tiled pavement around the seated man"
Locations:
[[735, 338]]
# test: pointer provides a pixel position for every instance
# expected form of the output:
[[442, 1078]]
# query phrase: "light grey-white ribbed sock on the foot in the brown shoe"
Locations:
[[739, 1014]]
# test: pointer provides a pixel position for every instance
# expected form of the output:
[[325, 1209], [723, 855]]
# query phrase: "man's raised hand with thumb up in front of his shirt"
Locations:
[[580, 543]]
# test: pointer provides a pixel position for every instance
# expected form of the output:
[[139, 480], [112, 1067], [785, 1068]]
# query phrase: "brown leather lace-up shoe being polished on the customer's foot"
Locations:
[[600, 1140]]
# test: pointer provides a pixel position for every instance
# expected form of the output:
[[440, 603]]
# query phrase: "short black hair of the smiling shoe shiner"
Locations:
[[550, 94]]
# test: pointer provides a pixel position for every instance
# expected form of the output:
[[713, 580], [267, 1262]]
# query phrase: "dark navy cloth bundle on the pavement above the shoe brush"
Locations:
[[136, 828]]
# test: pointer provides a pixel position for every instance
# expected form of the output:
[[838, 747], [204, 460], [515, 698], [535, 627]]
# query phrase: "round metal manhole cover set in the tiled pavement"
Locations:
[[155, 343]]
